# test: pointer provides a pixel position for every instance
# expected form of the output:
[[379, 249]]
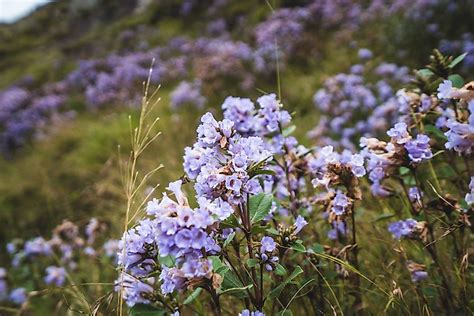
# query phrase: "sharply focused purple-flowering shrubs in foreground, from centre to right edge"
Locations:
[[250, 239]]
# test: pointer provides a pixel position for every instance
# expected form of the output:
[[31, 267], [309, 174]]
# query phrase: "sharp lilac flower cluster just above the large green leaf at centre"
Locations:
[[220, 159]]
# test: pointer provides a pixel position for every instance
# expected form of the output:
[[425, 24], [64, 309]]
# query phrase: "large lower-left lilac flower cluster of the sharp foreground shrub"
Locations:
[[175, 230]]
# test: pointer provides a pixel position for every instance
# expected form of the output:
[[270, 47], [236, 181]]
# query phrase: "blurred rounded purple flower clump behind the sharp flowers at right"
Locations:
[[354, 106]]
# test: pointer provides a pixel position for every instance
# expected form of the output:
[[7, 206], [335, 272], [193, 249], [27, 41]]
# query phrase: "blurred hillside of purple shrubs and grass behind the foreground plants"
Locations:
[[71, 73]]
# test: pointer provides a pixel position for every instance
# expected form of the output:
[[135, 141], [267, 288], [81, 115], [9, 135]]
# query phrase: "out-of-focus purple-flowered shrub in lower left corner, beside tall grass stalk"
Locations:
[[40, 263]]
